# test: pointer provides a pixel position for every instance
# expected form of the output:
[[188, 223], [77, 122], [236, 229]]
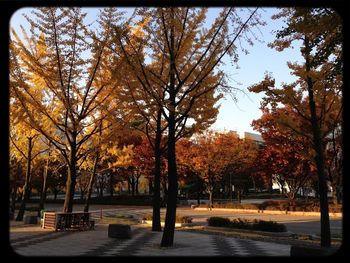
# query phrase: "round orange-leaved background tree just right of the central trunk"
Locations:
[[212, 155]]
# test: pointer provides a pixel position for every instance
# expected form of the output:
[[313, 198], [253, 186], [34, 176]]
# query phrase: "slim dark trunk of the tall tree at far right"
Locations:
[[319, 158]]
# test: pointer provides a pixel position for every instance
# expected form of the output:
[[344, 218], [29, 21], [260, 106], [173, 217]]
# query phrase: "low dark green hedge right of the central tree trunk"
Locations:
[[269, 226]]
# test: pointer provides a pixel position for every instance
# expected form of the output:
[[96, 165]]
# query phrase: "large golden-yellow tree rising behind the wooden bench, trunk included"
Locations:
[[71, 90]]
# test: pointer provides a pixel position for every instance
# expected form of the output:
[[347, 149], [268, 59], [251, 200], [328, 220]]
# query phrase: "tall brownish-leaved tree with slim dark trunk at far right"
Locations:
[[317, 91]]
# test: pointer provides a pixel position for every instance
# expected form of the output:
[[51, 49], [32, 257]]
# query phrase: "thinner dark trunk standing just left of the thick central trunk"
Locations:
[[156, 226]]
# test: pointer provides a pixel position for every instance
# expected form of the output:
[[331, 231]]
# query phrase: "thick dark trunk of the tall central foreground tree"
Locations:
[[170, 217]]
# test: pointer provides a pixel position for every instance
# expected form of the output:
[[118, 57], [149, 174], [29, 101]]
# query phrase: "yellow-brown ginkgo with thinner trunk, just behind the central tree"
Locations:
[[148, 112]]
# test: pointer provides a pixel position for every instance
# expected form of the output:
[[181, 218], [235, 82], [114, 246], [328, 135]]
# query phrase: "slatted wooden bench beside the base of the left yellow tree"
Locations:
[[63, 221]]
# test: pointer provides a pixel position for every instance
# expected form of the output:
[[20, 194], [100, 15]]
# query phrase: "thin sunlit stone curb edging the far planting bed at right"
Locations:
[[271, 212]]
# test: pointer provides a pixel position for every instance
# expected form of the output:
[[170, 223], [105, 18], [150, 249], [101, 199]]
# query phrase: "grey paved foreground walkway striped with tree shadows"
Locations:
[[35, 241]]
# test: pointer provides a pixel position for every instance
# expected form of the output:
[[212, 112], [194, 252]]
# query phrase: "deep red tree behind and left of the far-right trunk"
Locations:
[[286, 155]]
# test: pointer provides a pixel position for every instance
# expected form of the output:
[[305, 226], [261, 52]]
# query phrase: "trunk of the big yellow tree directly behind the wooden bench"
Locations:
[[71, 181]]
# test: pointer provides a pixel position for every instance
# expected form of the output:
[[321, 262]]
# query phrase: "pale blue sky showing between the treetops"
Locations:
[[238, 115]]
